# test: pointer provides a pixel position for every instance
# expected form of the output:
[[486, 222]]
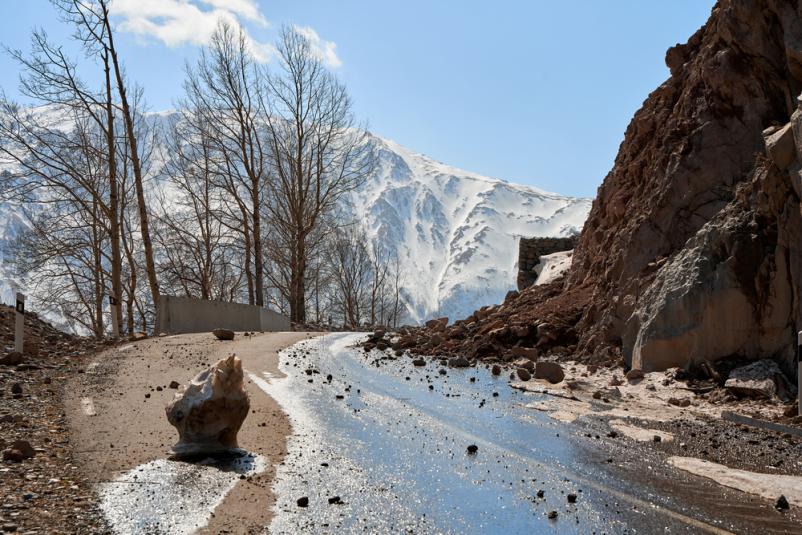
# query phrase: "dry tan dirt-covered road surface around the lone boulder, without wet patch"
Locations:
[[116, 413]]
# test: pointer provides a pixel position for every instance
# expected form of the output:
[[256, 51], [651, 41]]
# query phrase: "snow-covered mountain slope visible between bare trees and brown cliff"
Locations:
[[455, 232]]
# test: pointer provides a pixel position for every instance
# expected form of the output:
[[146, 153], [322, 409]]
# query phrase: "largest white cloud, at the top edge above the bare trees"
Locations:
[[180, 22]]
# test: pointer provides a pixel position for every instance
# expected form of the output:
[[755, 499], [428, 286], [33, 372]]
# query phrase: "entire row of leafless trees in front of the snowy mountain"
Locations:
[[237, 198]]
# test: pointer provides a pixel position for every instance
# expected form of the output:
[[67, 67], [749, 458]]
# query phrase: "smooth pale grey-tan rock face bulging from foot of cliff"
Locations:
[[702, 304]]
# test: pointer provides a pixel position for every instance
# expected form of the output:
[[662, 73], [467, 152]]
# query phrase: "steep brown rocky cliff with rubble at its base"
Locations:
[[691, 252]]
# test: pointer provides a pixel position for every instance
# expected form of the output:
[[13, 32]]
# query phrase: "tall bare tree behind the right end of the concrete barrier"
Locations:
[[318, 154]]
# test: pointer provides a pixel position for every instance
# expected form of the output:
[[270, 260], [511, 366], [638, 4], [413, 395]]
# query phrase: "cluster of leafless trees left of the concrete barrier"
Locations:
[[80, 175]]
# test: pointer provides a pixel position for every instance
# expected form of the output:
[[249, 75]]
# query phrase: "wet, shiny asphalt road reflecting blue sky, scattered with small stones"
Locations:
[[381, 448]]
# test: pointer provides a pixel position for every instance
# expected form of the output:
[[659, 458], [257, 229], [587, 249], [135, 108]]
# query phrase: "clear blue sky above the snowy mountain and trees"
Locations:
[[534, 92]]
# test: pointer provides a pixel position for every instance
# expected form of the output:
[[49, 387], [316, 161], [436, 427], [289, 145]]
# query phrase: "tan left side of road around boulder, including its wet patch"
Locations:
[[116, 414]]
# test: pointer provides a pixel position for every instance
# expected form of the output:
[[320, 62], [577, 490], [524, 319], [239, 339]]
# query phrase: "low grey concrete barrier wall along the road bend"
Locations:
[[176, 315]]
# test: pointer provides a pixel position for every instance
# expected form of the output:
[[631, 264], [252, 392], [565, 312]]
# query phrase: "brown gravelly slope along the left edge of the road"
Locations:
[[42, 490]]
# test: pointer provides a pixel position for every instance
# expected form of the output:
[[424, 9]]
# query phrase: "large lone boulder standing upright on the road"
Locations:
[[209, 411]]
